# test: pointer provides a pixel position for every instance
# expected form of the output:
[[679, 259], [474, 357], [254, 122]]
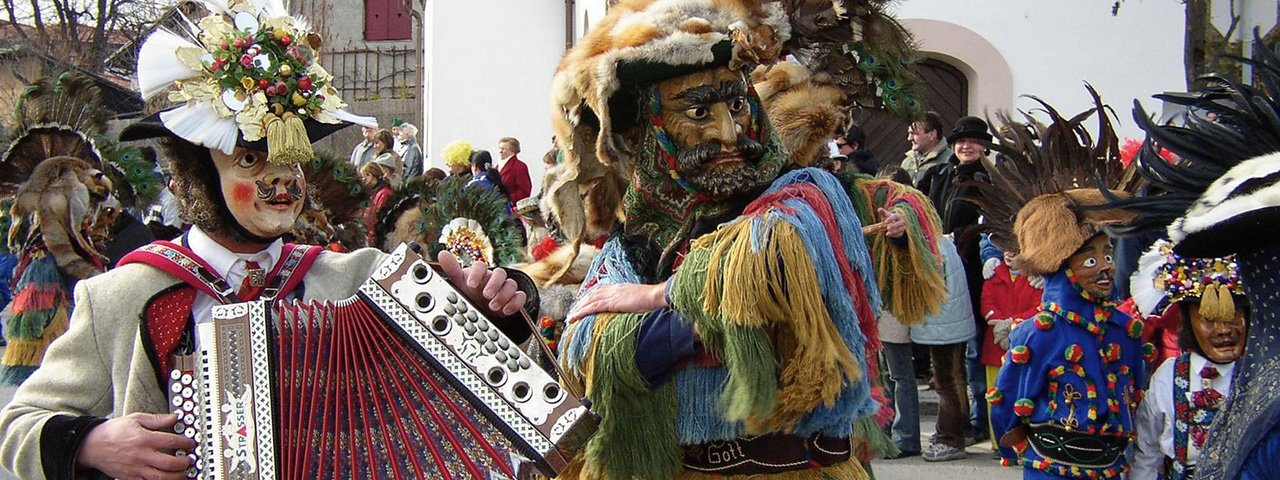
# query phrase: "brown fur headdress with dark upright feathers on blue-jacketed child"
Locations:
[[1043, 202]]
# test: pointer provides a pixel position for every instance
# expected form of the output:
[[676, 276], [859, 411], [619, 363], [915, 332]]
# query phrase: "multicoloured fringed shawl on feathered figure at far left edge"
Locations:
[[36, 317]]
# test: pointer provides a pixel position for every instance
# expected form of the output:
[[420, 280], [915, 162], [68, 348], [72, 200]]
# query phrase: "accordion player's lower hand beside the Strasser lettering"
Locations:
[[138, 446]]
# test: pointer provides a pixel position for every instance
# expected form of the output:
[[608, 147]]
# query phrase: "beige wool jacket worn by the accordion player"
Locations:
[[102, 369]]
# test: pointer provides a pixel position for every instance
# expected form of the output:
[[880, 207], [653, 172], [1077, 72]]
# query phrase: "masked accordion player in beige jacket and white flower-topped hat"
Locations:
[[98, 406]]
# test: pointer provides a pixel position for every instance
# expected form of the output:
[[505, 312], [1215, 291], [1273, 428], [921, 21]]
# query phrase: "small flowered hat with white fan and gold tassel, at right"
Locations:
[[1214, 282]]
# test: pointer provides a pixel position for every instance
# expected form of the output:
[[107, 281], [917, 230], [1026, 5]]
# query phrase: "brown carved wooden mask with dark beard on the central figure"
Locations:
[[707, 116]]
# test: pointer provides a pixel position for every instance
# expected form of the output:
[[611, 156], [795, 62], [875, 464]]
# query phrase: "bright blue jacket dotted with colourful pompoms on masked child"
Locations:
[[1077, 367]]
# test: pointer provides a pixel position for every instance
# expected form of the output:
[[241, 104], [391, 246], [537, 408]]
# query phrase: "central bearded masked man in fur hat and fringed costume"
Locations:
[[724, 328]]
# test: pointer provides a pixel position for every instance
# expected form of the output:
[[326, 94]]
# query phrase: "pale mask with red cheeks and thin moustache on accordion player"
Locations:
[[266, 199]]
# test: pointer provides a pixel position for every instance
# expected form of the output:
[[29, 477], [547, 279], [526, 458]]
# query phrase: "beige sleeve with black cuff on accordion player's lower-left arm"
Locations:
[[54, 410]]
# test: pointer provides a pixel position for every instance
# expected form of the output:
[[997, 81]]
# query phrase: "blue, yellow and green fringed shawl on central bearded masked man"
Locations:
[[780, 299]]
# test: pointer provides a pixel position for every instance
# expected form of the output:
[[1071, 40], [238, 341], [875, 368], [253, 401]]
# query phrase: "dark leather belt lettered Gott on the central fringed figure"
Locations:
[[774, 454]]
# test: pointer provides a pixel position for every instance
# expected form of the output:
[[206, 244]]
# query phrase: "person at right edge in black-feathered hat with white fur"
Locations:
[[1222, 199]]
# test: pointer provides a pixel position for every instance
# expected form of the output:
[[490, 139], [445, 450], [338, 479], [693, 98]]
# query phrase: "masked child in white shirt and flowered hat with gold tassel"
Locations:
[[1188, 391]]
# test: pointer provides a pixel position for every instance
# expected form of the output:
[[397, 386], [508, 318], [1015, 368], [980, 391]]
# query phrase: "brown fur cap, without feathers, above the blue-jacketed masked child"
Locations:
[[1053, 227]]
